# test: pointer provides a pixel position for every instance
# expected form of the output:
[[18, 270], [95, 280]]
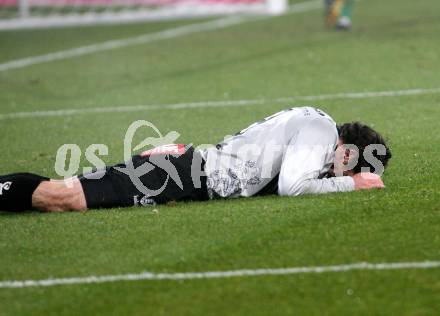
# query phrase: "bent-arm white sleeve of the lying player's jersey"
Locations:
[[306, 156]]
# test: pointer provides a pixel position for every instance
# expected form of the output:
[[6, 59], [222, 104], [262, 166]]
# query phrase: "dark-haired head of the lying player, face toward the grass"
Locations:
[[362, 143]]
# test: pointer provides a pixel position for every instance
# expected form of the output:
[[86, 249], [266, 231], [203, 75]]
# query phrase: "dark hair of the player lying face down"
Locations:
[[361, 135]]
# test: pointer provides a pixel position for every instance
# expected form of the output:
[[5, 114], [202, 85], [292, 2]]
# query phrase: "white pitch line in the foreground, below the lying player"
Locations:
[[220, 274]]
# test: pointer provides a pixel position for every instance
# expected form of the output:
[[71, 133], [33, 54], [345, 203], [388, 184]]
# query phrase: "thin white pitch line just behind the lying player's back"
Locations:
[[210, 104]]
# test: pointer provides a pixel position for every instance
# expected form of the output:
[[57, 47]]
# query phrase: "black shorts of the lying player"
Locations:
[[117, 186]]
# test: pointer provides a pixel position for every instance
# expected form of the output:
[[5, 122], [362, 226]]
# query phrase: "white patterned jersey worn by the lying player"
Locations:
[[286, 153]]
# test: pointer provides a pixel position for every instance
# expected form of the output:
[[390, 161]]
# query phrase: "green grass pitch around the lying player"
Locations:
[[394, 46]]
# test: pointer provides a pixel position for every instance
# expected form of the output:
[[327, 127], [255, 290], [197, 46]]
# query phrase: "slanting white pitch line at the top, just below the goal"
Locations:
[[150, 37]]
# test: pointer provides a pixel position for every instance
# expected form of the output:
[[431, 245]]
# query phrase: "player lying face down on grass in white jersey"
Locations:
[[294, 152]]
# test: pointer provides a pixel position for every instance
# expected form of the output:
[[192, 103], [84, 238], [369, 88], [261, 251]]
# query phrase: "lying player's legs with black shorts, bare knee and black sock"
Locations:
[[107, 188]]
